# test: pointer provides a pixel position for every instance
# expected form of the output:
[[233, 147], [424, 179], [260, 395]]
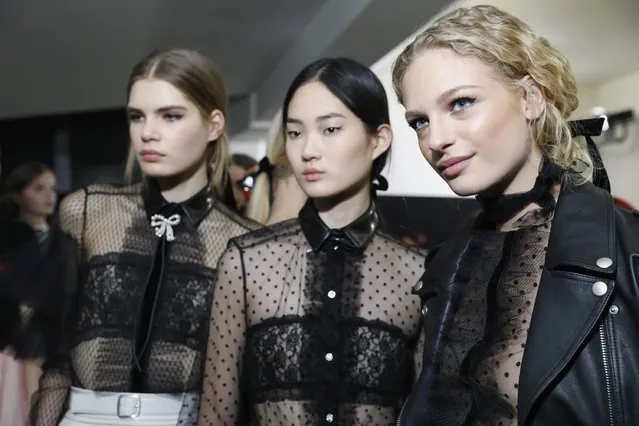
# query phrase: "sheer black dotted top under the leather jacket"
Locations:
[[480, 357]]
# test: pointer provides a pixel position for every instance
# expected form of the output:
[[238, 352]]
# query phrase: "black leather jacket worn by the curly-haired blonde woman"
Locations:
[[581, 364]]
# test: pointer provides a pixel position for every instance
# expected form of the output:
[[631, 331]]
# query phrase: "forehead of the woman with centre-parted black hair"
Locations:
[[313, 100]]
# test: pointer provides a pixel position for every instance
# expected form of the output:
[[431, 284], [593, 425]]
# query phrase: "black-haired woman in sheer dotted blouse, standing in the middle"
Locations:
[[312, 319]]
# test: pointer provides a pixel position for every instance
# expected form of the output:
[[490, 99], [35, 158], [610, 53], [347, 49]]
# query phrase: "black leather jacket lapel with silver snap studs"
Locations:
[[576, 285]]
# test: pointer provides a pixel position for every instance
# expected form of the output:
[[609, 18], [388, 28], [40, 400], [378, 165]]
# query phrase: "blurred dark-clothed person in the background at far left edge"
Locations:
[[34, 258]]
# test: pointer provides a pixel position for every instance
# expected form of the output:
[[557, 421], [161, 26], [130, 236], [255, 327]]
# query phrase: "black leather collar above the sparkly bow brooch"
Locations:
[[195, 208]]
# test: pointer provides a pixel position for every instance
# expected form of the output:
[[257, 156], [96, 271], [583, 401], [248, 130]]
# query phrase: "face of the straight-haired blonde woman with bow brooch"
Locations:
[[168, 133]]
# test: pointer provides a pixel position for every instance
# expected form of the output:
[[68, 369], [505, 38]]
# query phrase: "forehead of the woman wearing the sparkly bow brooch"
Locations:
[[151, 93]]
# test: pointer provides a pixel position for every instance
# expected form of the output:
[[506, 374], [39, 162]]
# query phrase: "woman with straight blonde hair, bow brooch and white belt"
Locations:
[[147, 252]]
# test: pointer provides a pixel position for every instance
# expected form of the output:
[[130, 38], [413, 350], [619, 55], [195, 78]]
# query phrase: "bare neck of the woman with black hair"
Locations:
[[340, 211]]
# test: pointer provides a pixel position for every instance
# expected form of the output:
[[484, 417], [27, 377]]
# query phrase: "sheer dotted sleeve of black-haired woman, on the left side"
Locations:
[[221, 386]]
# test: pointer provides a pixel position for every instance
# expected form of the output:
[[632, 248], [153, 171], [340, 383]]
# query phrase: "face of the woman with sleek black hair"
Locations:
[[327, 145]]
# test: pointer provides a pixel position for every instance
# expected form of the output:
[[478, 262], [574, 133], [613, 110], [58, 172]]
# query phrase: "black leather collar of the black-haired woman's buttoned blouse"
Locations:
[[355, 236]]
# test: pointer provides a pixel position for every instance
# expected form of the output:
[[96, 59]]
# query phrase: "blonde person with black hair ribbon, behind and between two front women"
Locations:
[[275, 194]]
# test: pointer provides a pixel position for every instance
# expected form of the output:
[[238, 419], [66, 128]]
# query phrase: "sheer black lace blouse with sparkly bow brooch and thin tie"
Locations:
[[140, 317]]
